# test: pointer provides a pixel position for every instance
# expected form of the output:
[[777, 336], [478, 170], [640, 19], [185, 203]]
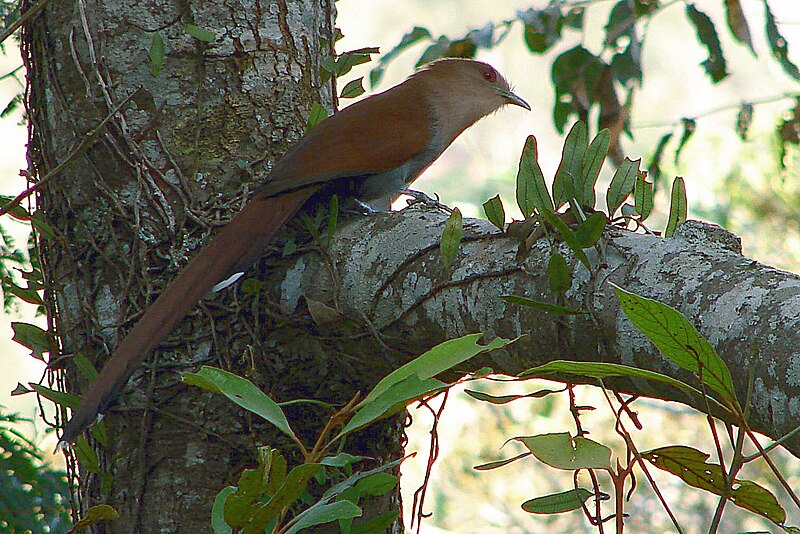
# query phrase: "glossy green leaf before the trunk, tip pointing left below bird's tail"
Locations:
[[242, 392]]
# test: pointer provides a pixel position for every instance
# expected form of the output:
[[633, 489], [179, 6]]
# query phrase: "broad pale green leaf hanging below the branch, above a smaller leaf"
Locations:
[[562, 451]]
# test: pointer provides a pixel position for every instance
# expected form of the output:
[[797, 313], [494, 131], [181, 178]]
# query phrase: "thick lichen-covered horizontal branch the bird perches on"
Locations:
[[387, 269]]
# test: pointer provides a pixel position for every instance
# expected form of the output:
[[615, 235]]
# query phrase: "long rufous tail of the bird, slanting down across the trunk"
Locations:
[[236, 245]]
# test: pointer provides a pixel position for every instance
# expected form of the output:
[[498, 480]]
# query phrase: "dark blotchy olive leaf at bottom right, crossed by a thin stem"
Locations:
[[690, 465]]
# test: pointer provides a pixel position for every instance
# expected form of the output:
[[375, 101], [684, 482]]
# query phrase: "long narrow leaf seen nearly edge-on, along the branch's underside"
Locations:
[[604, 370]]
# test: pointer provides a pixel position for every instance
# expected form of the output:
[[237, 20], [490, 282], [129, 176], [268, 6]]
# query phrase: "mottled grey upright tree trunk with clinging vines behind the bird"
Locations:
[[207, 117]]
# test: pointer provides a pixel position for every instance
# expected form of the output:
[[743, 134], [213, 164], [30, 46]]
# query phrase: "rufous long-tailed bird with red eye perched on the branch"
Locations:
[[372, 150]]
